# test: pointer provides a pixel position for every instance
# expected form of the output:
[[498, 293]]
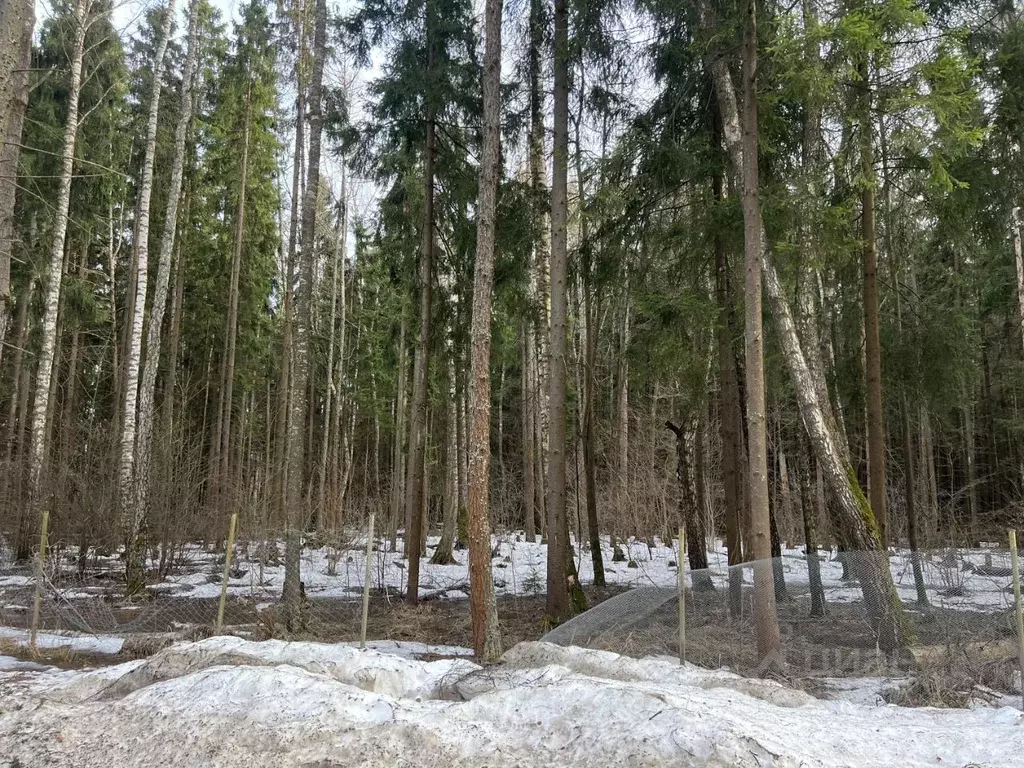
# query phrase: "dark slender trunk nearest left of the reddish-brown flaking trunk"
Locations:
[[421, 365]]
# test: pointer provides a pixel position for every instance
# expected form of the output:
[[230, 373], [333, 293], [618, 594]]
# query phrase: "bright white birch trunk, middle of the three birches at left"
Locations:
[[132, 520]]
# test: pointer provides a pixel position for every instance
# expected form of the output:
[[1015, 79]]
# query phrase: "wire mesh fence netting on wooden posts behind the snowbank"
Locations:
[[960, 611]]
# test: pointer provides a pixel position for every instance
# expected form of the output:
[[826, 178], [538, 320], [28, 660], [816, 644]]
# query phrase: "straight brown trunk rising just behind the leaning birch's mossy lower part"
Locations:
[[873, 345]]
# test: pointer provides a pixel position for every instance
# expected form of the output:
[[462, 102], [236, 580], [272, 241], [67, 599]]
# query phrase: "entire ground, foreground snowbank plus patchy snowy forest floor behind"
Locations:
[[140, 684]]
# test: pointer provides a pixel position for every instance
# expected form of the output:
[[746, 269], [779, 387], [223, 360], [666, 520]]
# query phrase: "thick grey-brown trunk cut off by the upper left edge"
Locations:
[[18, 21]]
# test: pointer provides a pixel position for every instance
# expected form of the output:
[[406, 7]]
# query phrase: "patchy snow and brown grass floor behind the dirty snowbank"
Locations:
[[969, 619]]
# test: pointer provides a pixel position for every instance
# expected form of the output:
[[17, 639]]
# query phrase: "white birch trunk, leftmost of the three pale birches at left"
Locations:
[[55, 278]]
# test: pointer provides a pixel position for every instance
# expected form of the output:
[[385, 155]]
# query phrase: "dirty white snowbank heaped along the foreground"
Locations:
[[230, 703]]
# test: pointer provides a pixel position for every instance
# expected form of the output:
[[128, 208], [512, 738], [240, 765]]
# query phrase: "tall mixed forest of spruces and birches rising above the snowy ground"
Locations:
[[580, 269]]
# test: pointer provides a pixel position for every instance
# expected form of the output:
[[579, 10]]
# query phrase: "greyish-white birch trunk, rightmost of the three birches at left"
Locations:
[[153, 348]]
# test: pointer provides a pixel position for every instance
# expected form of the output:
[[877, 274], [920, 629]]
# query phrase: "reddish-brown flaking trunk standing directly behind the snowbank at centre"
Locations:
[[487, 642]]
